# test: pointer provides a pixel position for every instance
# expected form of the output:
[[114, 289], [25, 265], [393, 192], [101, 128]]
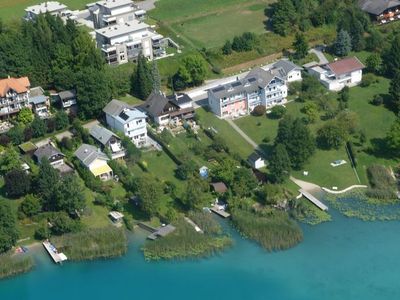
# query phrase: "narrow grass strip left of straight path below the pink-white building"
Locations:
[[235, 142]]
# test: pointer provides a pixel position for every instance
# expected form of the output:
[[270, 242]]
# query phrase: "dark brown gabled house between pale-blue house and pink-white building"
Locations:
[[165, 109]]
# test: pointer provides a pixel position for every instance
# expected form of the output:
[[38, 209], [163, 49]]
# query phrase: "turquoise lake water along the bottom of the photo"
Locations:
[[342, 259]]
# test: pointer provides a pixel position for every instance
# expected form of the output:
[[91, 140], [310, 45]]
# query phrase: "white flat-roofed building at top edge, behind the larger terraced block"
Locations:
[[112, 12]]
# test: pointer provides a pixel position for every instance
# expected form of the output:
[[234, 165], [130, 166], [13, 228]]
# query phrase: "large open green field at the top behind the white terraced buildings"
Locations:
[[205, 23]]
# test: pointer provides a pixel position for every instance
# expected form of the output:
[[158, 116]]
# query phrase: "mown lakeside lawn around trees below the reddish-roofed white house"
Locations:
[[375, 121]]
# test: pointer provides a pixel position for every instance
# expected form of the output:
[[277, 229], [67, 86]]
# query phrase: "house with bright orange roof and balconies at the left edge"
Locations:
[[14, 95]]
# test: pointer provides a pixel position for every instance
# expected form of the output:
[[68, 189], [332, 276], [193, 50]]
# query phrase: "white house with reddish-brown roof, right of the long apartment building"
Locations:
[[336, 75]]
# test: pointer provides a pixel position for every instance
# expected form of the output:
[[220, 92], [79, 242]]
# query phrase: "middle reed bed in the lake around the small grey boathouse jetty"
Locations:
[[185, 242]]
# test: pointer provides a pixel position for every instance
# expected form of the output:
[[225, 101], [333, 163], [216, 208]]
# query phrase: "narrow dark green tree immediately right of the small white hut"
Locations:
[[279, 165]]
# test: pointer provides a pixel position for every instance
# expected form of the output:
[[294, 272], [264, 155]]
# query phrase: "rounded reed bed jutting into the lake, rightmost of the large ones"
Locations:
[[274, 231]]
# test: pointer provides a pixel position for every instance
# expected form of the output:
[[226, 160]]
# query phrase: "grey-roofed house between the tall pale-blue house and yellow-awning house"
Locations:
[[108, 140]]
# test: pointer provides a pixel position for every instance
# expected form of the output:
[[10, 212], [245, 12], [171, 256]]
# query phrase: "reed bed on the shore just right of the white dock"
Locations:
[[93, 243]]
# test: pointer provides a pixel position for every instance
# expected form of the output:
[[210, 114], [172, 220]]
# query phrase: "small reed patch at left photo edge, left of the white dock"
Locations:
[[11, 265]]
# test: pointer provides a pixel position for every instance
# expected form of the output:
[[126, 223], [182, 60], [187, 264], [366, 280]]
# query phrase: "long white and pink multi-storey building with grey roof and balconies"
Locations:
[[240, 97]]
